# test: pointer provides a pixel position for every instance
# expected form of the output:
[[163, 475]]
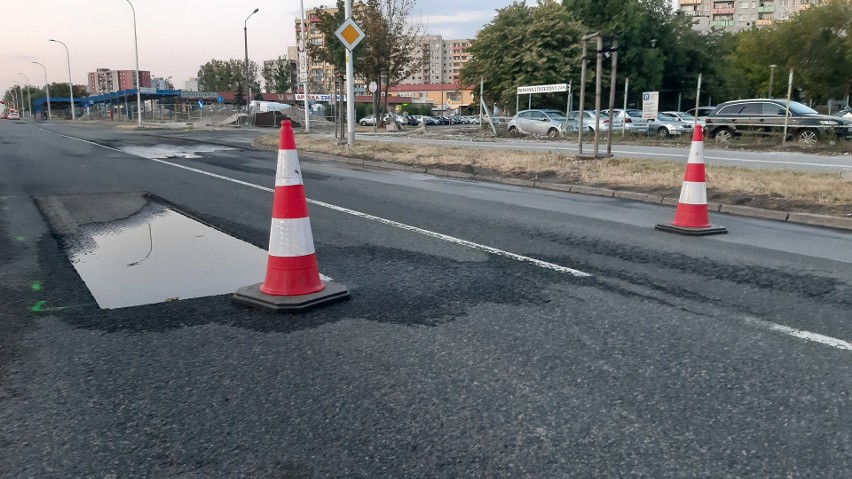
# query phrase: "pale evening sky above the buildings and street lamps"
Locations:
[[176, 37]]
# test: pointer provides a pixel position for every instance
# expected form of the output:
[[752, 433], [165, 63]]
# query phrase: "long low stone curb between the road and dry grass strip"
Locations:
[[836, 222]]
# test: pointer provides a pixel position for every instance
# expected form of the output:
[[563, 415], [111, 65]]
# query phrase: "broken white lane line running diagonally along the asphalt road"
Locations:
[[796, 333]]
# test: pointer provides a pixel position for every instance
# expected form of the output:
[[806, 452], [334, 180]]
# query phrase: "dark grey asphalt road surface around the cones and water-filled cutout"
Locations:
[[493, 331]]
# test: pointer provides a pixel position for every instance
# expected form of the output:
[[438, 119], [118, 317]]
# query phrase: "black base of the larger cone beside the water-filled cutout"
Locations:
[[252, 296]]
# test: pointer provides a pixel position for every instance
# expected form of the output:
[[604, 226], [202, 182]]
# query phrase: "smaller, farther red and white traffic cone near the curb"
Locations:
[[691, 217]]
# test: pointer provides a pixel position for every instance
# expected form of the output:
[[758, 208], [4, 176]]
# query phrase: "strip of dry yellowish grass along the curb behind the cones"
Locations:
[[783, 190]]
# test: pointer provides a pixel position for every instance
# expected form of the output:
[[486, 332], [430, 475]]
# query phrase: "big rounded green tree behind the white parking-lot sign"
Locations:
[[525, 45]]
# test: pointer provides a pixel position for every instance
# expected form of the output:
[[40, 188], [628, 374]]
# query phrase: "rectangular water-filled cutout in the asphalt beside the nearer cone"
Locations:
[[131, 249]]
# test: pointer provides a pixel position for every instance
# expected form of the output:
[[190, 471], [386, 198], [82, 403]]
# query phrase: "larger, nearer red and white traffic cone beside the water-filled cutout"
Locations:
[[292, 281]]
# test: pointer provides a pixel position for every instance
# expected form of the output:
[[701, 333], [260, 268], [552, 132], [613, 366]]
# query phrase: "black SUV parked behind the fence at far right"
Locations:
[[763, 117]]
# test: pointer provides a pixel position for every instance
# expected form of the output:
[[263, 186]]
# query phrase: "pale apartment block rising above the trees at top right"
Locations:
[[736, 15]]
